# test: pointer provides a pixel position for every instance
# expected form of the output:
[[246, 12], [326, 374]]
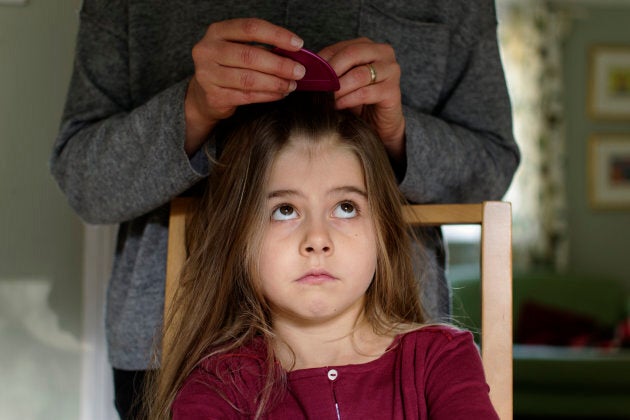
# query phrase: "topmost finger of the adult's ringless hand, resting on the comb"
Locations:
[[256, 30]]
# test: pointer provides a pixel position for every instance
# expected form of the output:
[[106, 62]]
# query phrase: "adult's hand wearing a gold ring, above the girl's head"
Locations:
[[379, 100]]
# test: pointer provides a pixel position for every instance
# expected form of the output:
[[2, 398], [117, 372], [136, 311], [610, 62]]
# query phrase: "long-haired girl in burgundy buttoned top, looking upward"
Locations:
[[298, 298]]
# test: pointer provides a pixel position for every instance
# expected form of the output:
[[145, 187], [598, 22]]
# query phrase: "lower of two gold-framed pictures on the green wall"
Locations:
[[609, 171]]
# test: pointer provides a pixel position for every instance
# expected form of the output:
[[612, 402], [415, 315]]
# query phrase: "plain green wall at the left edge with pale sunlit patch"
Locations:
[[40, 239]]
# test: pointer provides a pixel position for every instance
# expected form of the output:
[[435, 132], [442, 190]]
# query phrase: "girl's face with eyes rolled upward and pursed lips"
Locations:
[[318, 253]]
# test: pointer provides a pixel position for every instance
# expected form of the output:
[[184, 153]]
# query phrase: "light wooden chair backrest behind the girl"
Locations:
[[495, 219]]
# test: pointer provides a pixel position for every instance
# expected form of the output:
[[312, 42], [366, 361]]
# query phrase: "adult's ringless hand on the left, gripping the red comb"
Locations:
[[230, 71]]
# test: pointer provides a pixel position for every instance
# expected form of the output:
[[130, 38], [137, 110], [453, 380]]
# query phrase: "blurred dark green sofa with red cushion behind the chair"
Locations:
[[568, 360]]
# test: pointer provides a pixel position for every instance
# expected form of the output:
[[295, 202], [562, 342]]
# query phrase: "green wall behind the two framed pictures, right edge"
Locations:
[[599, 240]]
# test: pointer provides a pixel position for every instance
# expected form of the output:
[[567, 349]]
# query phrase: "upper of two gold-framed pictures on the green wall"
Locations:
[[609, 68]]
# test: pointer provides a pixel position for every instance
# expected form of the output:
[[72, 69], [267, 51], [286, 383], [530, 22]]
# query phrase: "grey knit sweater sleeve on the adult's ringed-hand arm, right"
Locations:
[[462, 149]]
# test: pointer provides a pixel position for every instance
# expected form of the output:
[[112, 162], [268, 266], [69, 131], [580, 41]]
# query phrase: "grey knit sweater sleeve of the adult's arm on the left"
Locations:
[[115, 159]]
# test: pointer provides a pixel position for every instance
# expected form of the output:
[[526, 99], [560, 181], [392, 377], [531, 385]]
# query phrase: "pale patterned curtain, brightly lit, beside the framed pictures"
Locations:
[[530, 38]]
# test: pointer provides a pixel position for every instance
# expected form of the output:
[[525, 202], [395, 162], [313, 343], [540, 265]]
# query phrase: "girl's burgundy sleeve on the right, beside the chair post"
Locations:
[[455, 384]]
